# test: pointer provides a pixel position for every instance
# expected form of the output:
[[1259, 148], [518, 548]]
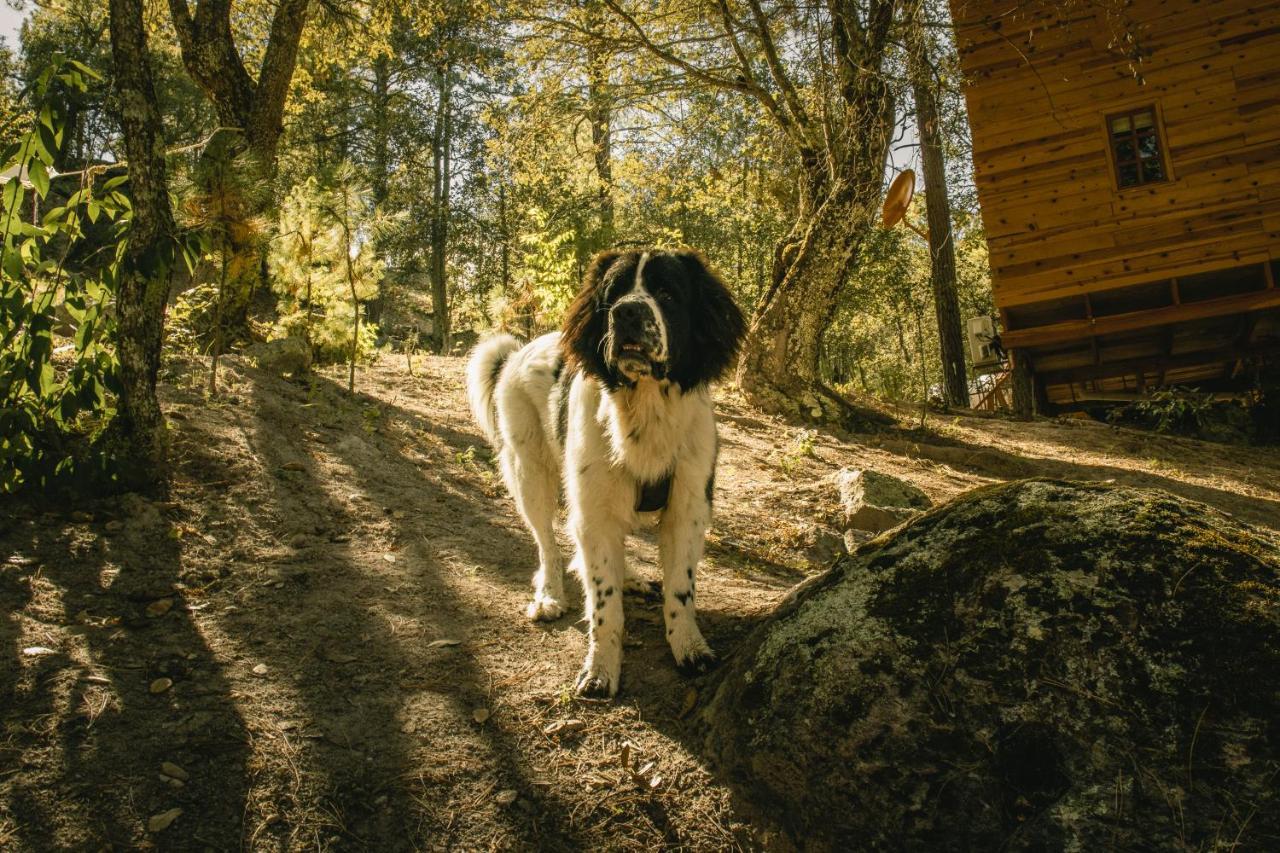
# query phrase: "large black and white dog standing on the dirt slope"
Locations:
[[618, 408]]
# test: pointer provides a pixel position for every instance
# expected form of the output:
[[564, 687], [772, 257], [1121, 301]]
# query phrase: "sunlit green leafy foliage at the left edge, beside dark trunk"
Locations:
[[58, 375]]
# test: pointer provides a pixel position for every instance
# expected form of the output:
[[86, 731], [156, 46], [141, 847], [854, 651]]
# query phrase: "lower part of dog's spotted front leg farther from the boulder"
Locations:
[[601, 567]]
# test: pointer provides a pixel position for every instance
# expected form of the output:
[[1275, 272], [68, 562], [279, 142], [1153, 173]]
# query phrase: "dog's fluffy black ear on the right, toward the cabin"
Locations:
[[716, 326]]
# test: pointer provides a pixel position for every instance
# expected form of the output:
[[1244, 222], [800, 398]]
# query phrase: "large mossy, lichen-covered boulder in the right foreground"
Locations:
[[1037, 665]]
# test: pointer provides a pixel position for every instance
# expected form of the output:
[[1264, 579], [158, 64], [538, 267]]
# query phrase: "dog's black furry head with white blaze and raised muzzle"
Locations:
[[661, 314]]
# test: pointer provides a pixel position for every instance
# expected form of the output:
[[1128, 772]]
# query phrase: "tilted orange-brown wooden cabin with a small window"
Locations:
[[1127, 157]]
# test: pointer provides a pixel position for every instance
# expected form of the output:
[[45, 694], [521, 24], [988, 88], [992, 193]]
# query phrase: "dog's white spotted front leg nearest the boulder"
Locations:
[[680, 546]]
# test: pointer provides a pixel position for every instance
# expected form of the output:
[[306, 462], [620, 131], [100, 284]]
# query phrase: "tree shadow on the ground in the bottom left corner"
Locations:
[[85, 731]]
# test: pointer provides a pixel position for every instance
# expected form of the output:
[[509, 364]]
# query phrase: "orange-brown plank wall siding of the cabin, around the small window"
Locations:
[[1039, 88]]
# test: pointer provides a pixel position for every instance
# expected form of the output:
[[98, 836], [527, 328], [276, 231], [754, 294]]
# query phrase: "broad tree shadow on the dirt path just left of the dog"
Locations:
[[395, 711]]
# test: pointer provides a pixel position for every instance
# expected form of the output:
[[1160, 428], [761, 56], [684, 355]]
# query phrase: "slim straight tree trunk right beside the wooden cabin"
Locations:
[[956, 384]]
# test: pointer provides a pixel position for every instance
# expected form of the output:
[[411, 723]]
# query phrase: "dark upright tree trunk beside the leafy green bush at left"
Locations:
[[138, 430]]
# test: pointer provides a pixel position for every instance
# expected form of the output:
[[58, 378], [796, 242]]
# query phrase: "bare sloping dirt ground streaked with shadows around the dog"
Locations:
[[321, 626]]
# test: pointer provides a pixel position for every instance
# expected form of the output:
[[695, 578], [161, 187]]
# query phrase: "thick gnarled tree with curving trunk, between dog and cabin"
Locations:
[[819, 74]]
